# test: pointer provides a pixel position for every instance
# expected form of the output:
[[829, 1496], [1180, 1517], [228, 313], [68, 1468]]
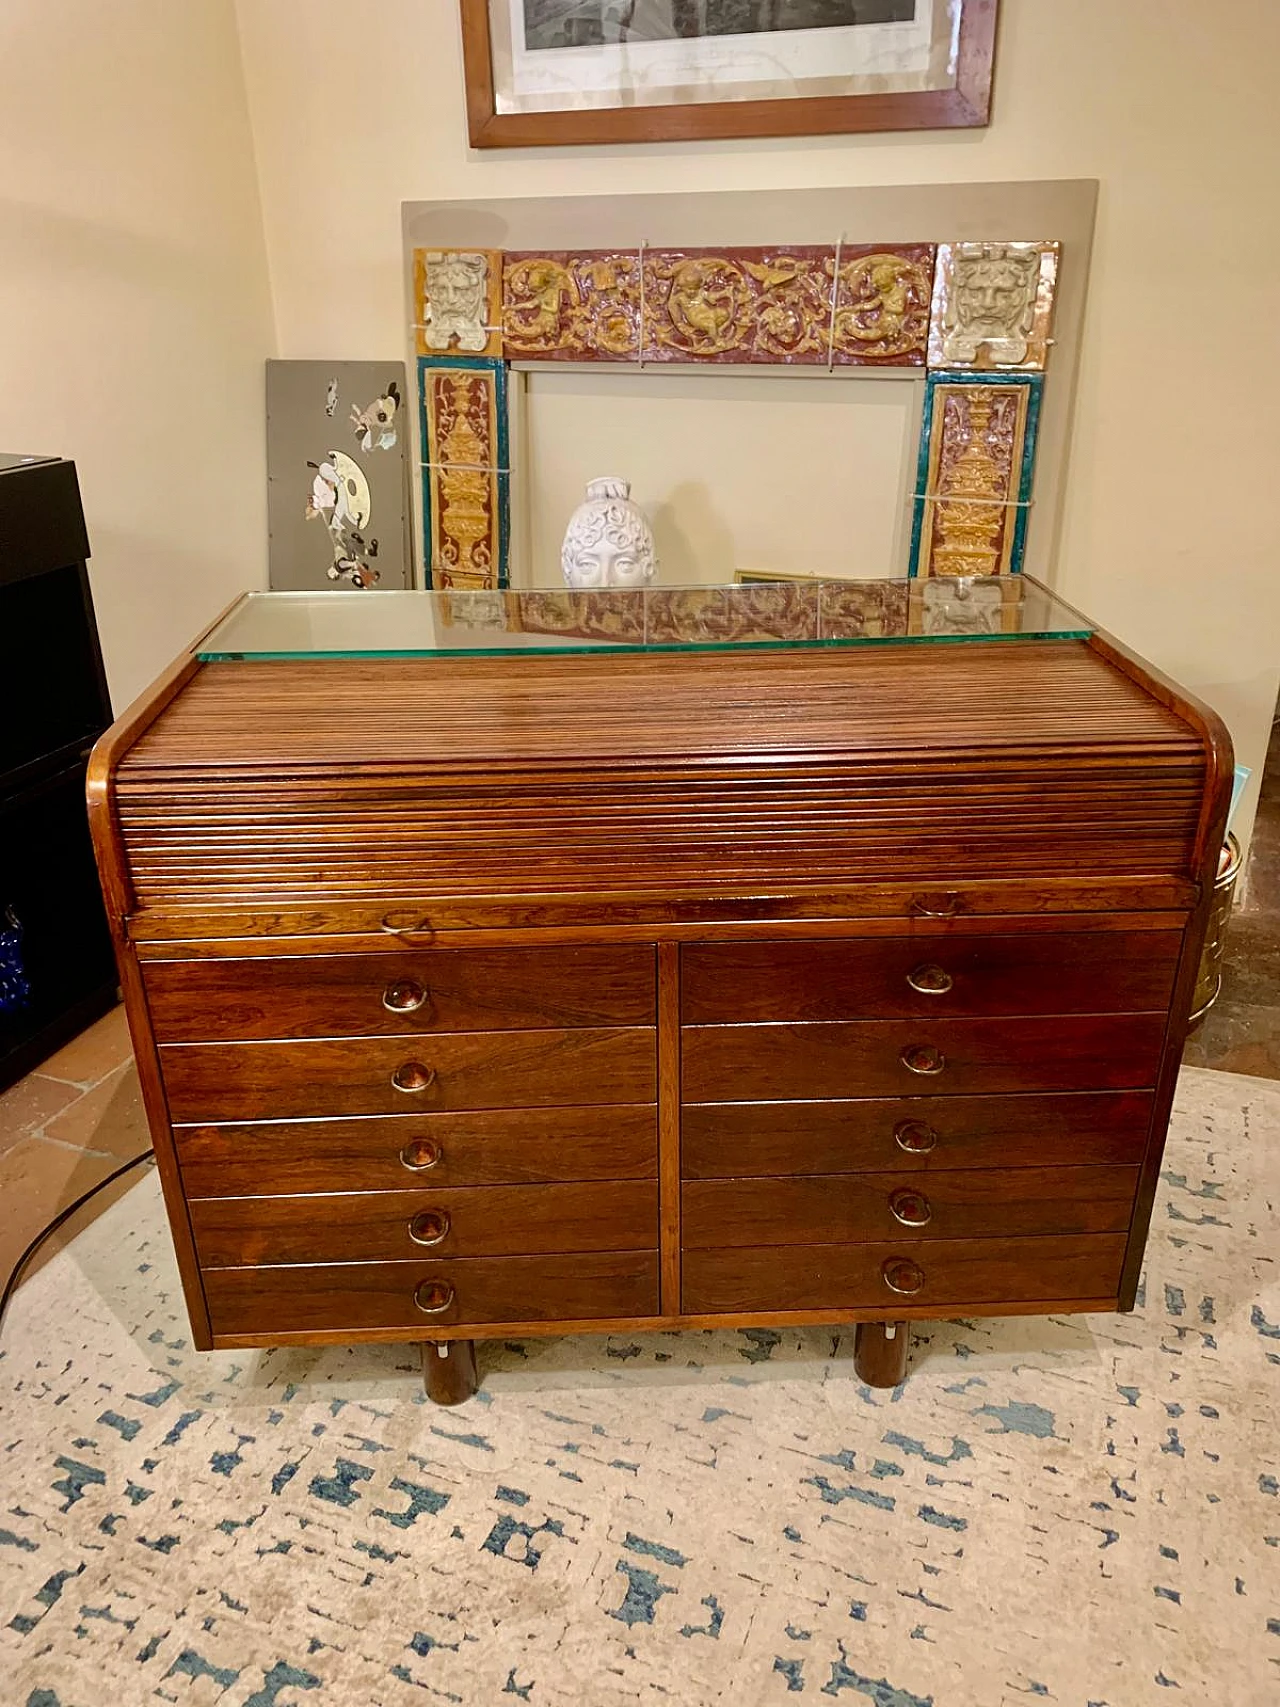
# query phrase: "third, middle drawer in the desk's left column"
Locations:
[[390, 1153]]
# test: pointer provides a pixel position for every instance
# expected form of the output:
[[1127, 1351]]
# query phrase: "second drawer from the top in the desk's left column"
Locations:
[[400, 1076]]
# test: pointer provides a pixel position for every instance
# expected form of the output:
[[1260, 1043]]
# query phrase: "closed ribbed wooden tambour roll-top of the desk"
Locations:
[[564, 776]]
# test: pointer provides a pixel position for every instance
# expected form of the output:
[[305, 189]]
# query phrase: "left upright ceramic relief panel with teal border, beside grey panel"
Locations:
[[465, 472]]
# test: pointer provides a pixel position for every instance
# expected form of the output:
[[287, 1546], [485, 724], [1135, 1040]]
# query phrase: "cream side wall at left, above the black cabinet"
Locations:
[[134, 303]]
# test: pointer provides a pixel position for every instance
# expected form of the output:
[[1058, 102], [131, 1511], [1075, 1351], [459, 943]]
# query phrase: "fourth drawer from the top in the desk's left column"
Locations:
[[393, 1226]]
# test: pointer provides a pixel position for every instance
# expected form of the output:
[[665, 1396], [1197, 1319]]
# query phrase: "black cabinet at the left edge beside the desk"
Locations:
[[57, 969]]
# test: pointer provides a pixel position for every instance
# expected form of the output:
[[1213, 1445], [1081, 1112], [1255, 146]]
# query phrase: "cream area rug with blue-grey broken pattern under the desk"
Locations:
[[1078, 1510]]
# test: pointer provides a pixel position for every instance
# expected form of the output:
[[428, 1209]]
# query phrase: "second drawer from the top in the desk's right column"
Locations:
[[728, 1064]]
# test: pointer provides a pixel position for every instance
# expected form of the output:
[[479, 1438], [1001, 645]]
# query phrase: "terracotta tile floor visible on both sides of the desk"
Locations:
[[67, 1126]]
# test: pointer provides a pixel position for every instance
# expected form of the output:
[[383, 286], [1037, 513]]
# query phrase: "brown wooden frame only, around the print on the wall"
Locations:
[[962, 107]]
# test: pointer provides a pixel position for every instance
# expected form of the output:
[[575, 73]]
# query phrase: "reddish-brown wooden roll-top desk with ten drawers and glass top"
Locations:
[[567, 964]]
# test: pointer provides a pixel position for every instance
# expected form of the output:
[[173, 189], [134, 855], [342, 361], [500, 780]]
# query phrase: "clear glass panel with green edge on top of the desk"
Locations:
[[815, 614]]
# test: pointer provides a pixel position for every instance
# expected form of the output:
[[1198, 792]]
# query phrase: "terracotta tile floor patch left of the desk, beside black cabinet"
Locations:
[[62, 1131]]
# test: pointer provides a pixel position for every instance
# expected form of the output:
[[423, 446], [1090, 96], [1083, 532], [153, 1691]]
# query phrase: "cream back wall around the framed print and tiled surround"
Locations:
[[1168, 533]]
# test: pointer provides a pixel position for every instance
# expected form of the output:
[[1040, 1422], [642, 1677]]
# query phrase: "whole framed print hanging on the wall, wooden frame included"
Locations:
[[545, 73]]
